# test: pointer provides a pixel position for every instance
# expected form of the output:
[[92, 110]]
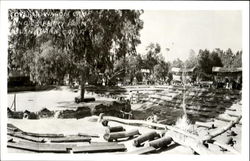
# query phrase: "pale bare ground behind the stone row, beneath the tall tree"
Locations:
[[55, 99]]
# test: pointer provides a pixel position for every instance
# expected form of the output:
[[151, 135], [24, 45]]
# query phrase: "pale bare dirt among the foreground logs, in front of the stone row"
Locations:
[[91, 126]]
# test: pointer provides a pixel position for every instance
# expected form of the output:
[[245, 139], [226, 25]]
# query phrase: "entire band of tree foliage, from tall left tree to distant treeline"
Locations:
[[48, 44]]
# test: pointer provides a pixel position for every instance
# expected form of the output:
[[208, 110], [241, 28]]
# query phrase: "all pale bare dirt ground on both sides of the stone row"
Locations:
[[56, 99]]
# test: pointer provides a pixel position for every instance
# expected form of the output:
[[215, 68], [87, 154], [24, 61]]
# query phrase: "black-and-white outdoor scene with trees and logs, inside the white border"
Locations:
[[115, 81]]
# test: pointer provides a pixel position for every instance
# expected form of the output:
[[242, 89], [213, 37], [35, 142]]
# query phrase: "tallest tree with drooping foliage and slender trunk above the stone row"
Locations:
[[87, 36]]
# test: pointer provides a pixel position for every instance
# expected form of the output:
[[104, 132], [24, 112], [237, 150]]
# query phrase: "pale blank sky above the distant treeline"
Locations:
[[181, 31]]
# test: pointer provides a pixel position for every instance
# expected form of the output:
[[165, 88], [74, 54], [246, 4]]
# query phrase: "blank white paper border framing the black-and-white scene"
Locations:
[[148, 5]]
